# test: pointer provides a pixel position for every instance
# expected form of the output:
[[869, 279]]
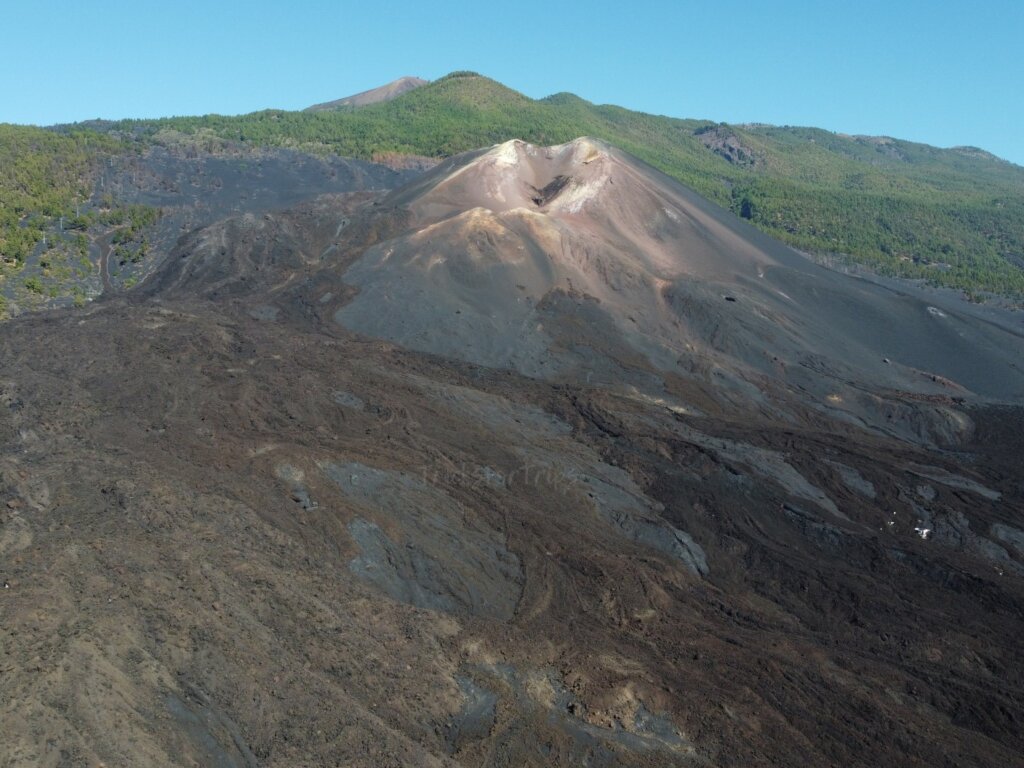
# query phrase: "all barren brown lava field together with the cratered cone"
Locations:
[[536, 458]]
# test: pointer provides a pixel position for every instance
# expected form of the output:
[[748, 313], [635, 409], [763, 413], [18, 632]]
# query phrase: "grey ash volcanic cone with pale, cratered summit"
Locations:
[[579, 262]]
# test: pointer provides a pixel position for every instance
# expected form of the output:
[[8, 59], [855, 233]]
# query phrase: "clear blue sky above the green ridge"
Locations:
[[945, 73]]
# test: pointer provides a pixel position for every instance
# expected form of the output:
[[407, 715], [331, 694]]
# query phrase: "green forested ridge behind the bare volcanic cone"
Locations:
[[955, 218]]
